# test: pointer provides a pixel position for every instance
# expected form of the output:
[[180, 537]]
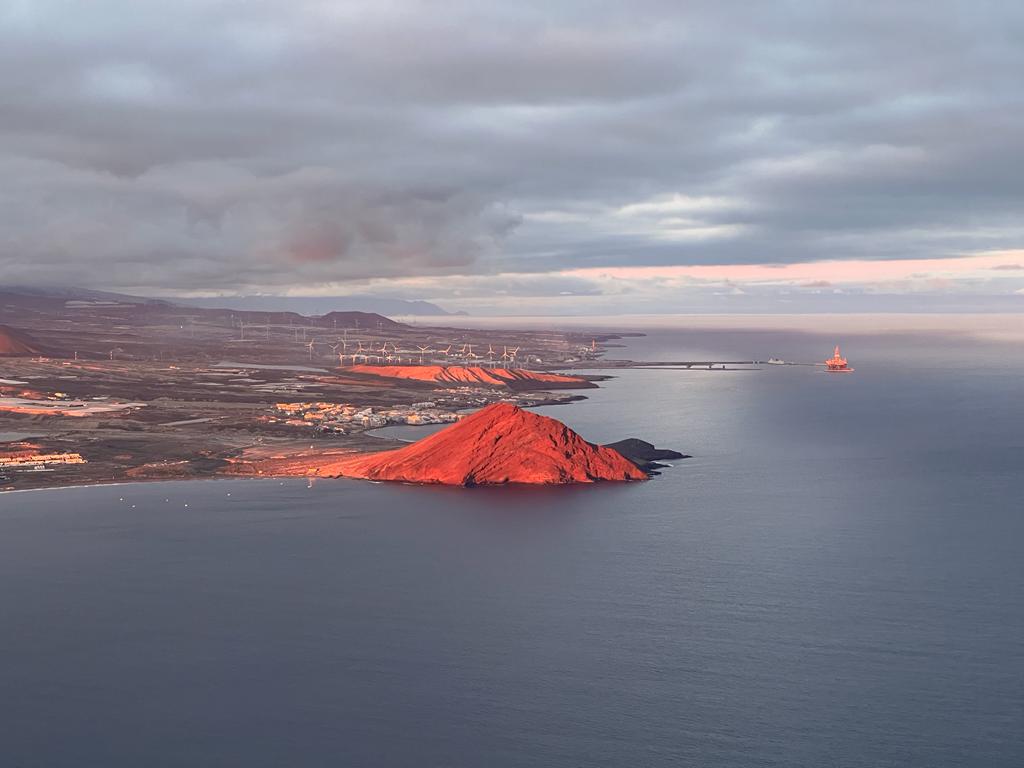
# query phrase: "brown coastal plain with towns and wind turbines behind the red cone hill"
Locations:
[[112, 389]]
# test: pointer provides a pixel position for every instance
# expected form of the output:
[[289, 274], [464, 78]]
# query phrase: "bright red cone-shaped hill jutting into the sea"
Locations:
[[498, 445]]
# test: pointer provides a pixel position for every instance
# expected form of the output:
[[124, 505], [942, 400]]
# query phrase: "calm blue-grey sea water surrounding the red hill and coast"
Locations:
[[836, 579]]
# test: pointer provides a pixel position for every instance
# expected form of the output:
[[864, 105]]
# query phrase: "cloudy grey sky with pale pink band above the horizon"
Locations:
[[514, 157]]
